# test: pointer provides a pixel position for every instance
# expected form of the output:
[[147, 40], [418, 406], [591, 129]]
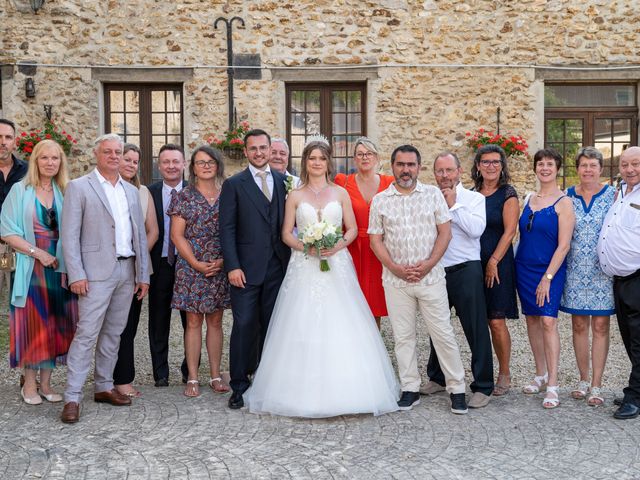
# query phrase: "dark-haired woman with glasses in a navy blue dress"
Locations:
[[491, 177]]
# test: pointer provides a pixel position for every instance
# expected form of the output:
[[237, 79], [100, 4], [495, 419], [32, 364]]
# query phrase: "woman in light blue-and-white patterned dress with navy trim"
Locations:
[[588, 292]]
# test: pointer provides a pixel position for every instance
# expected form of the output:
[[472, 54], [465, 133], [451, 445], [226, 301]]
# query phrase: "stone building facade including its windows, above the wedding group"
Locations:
[[562, 73]]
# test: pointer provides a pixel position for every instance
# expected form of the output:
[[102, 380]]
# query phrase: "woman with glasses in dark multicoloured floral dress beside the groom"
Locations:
[[201, 287]]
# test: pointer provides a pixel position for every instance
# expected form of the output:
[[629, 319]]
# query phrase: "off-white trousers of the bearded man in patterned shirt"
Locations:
[[403, 304]]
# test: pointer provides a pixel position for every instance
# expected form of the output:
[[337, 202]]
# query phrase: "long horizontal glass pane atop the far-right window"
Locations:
[[589, 95]]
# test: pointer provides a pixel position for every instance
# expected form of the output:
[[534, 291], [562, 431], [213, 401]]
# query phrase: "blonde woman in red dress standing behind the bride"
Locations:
[[362, 186]]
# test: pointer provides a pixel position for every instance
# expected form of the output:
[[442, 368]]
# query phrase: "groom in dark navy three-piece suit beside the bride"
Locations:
[[255, 258]]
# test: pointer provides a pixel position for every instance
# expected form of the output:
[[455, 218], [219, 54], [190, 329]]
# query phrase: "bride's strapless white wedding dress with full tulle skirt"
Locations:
[[323, 355]]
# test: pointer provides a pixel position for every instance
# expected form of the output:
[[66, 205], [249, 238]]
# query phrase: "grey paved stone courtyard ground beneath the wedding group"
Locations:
[[166, 435]]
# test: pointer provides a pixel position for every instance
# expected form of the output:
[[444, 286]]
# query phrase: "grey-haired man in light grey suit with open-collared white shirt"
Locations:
[[105, 253]]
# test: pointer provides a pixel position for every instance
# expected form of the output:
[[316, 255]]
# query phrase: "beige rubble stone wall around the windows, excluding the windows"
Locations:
[[428, 89]]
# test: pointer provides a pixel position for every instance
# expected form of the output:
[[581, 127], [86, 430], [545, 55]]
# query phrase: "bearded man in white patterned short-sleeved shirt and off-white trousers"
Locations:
[[409, 229]]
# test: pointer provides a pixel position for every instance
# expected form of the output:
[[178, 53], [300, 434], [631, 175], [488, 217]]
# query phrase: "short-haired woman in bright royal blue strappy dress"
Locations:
[[546, 226]]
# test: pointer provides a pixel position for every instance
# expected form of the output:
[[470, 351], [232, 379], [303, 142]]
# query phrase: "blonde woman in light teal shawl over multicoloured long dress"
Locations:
[[43, 312]]
